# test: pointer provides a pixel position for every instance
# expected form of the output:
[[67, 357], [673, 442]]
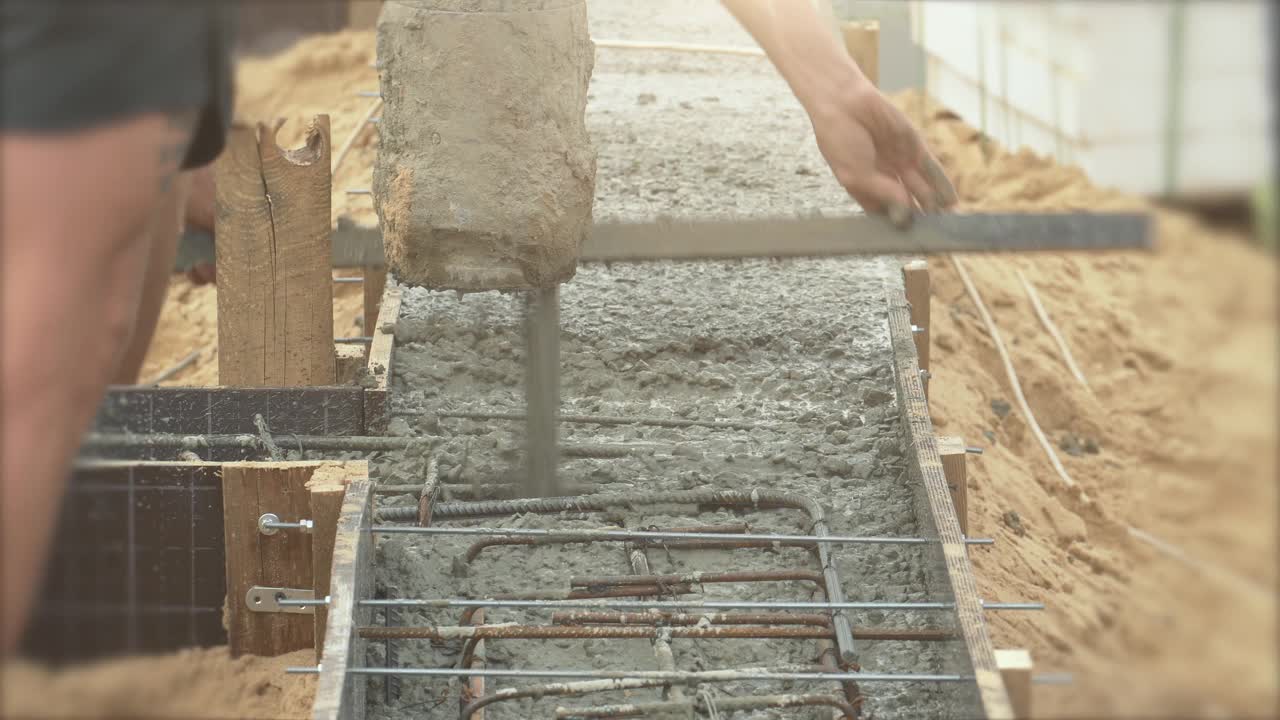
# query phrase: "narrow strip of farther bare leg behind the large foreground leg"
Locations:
[[163, 238]]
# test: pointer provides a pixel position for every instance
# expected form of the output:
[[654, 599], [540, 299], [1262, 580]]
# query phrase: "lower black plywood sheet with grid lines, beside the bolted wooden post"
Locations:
[[138, 564]]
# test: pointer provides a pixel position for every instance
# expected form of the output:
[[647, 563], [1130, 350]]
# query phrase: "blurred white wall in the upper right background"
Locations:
[[1094, 84]]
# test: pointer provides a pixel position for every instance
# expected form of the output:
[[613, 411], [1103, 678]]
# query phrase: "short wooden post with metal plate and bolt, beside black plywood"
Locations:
[[281, 560]]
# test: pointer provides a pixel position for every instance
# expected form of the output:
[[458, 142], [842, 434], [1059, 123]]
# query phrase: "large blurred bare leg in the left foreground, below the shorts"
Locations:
[[74, 209]]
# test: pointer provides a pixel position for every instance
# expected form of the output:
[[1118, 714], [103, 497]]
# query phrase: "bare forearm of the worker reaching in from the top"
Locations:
[[807, 54]]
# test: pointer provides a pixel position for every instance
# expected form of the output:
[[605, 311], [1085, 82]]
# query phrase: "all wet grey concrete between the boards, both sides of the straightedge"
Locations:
[[798, 349]]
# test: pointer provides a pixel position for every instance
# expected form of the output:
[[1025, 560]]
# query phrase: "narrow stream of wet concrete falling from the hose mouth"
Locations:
[[542, 391]]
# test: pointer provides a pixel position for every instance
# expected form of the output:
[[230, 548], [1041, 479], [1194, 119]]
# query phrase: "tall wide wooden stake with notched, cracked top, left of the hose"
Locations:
[[275, 279]]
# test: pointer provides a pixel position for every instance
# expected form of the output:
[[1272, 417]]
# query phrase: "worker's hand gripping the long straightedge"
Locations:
[[879, 156]]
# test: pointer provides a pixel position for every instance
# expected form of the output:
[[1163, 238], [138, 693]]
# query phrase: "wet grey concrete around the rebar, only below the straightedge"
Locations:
[[797, 354]]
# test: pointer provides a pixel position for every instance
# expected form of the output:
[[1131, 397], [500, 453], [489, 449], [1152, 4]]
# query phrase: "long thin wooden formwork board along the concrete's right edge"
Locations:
[[935, 508]]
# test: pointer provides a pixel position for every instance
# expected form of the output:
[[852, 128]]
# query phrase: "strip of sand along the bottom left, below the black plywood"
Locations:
[[193, 683]]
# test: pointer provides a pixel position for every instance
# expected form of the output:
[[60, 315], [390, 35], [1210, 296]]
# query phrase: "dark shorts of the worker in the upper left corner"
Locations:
[[76, 65]]
